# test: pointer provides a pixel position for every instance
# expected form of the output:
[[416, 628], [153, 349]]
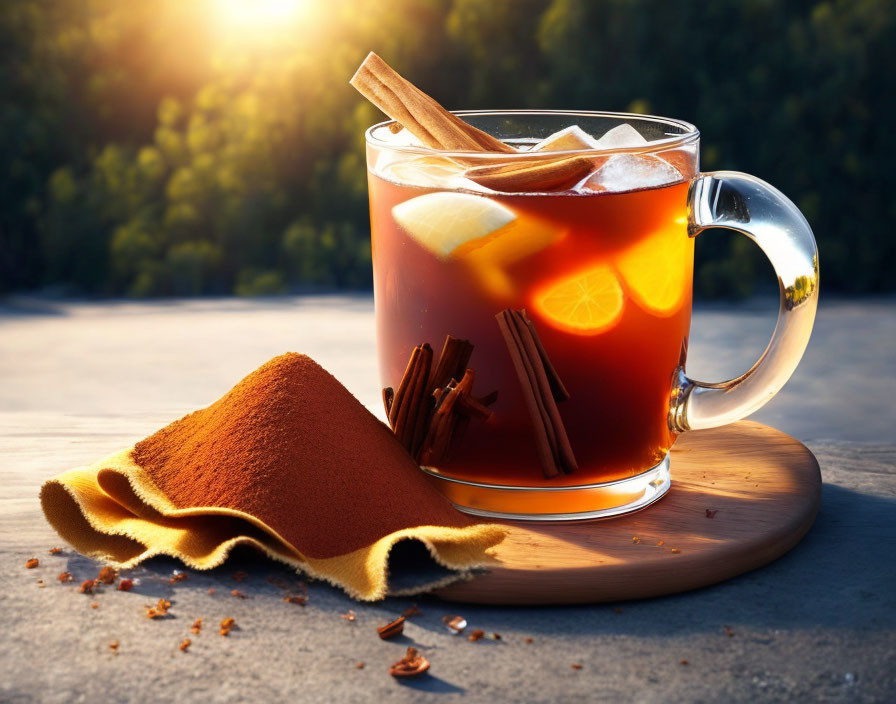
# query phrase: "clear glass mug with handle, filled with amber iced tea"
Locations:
[[593, 285]]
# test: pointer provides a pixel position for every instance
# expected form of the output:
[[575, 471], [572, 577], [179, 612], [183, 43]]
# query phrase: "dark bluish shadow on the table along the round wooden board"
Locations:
[[842, 574]]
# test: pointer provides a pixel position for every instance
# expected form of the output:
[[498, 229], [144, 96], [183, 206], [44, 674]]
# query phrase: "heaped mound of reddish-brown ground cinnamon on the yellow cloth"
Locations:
[[290, 445]]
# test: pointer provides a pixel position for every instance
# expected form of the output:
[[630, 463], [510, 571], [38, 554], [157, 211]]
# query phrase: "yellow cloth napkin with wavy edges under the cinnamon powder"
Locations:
[[112, 511]]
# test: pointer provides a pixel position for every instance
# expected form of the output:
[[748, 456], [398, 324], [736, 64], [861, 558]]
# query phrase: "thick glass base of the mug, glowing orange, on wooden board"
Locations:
[[566, 503]]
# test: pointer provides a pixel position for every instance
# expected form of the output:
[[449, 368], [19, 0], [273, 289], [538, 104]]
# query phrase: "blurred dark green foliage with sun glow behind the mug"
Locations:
[[164, 147]]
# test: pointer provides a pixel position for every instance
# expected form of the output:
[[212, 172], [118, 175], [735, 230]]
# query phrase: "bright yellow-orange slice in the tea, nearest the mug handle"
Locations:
[[657, 270]]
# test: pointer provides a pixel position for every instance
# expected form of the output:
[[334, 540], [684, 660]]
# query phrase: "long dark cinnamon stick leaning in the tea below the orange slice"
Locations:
[[540, 395]]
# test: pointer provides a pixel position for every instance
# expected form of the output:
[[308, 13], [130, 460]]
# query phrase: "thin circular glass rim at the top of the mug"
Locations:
[[689, 135]]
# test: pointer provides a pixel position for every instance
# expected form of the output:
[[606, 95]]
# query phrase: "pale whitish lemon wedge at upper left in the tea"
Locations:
[[445, 222]]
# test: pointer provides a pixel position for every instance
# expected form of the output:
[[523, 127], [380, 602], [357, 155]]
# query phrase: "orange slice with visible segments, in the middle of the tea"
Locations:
[[587, 303]]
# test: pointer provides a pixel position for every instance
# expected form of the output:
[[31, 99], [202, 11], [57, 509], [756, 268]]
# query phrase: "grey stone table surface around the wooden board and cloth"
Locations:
[[79, 380]]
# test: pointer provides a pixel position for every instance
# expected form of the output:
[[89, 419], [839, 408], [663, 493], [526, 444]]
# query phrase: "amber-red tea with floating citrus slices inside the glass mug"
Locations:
[[603, 270]]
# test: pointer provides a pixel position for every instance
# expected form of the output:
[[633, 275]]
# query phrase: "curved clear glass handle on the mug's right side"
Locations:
[[740, 202]]
